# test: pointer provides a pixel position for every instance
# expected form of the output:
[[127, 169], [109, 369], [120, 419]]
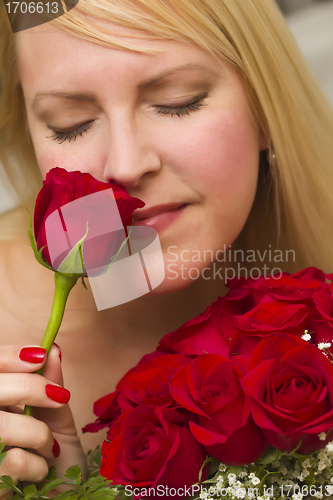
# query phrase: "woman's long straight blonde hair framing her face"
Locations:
[[293, 208]]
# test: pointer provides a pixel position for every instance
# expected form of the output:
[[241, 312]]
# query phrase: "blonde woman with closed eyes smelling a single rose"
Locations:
[[207, 106]]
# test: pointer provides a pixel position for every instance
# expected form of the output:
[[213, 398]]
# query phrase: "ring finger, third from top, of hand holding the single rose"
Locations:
[[27, 432]]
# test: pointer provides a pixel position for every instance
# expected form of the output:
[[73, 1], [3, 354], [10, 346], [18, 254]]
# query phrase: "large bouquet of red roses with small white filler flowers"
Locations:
[[241, 395]]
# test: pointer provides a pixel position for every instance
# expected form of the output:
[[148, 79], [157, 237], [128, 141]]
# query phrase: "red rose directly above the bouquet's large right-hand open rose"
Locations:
[[264, 319]]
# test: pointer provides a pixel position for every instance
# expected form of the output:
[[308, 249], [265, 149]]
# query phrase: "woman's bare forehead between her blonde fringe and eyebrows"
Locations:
[[45, 52]]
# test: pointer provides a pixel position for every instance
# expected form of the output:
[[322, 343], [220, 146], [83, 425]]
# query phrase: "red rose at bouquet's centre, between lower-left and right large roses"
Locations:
[[210, 388]]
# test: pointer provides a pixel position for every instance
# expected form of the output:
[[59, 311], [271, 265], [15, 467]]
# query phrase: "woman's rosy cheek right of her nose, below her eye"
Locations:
[[221, 154]]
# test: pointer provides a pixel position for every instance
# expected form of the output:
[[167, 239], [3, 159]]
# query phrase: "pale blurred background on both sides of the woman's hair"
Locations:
[[311, 22]]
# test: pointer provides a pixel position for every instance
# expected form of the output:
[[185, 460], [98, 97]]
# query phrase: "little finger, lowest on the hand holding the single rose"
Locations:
[[22, 465]]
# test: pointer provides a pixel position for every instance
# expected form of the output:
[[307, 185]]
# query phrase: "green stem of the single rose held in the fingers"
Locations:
[[63, 285]]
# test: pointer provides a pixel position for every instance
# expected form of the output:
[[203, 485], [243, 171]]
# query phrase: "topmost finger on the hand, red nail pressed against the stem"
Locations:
[[21, 358]]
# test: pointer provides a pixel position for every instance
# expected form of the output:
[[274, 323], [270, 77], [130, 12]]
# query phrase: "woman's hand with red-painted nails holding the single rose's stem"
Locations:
[[49, 437]]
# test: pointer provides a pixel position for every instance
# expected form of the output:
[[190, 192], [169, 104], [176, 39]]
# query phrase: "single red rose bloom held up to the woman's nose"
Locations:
[[61, 188]]
